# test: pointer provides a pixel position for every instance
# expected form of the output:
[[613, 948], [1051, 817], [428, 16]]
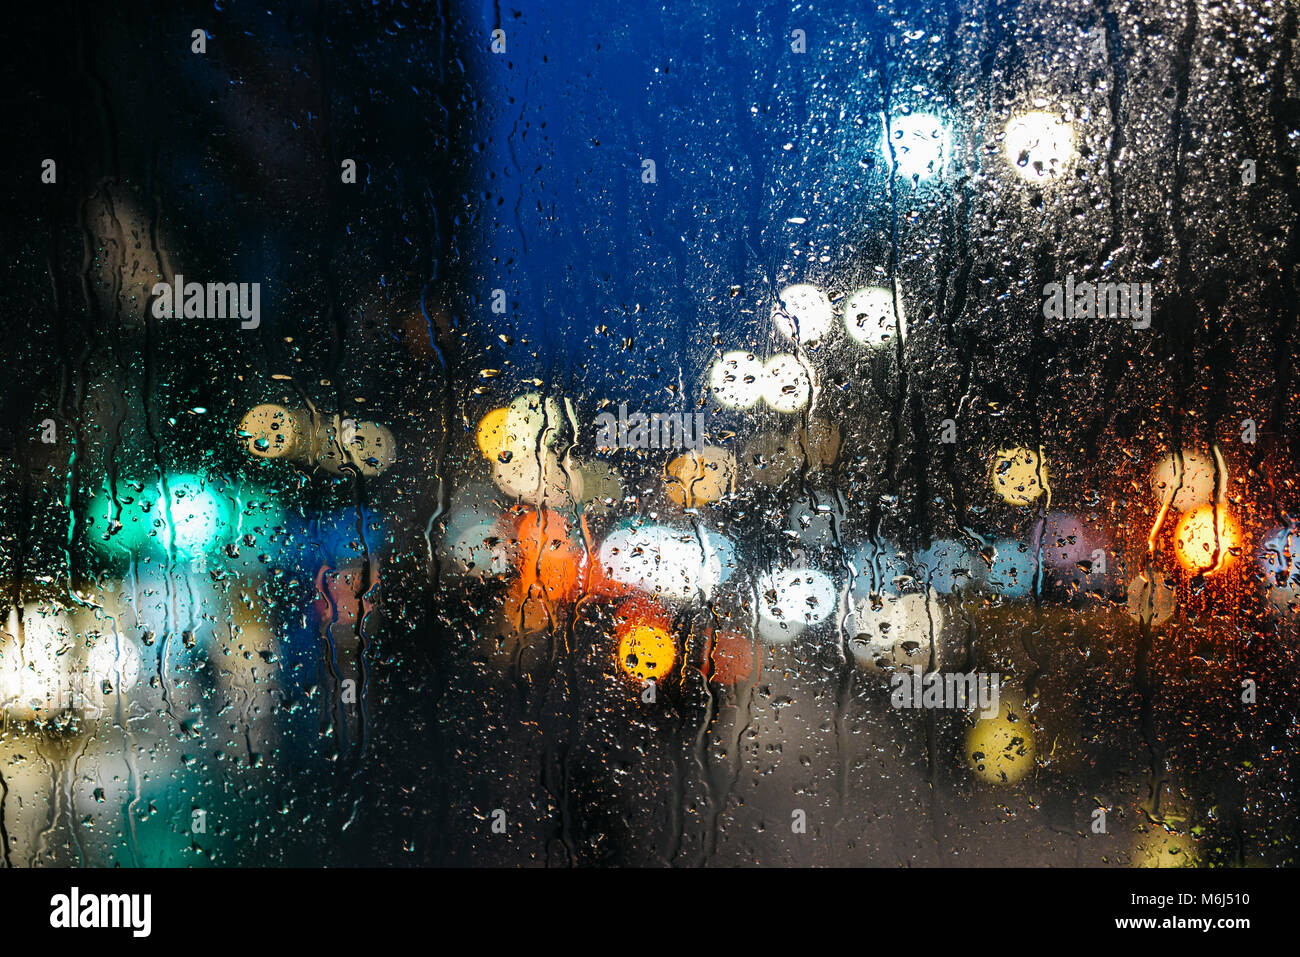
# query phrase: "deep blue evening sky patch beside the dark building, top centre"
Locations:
[[746, 135]]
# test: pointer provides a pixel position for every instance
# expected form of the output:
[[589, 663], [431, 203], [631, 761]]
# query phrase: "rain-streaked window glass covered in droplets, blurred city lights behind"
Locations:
[[575, 435]]
